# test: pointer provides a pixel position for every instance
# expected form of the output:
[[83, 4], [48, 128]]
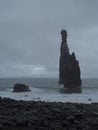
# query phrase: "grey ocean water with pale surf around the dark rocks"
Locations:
[[48, 89]]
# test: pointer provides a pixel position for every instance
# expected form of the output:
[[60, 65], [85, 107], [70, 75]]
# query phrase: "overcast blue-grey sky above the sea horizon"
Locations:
[[30, 36]]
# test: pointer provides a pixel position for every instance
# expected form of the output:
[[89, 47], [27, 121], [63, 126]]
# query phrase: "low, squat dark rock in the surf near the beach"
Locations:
[[21, 88]]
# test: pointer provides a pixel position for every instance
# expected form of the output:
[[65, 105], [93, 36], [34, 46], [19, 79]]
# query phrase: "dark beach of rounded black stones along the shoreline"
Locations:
[[39, 115]]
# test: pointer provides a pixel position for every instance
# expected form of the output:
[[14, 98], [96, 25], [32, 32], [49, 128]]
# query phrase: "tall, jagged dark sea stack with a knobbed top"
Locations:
[[69, 70]]
